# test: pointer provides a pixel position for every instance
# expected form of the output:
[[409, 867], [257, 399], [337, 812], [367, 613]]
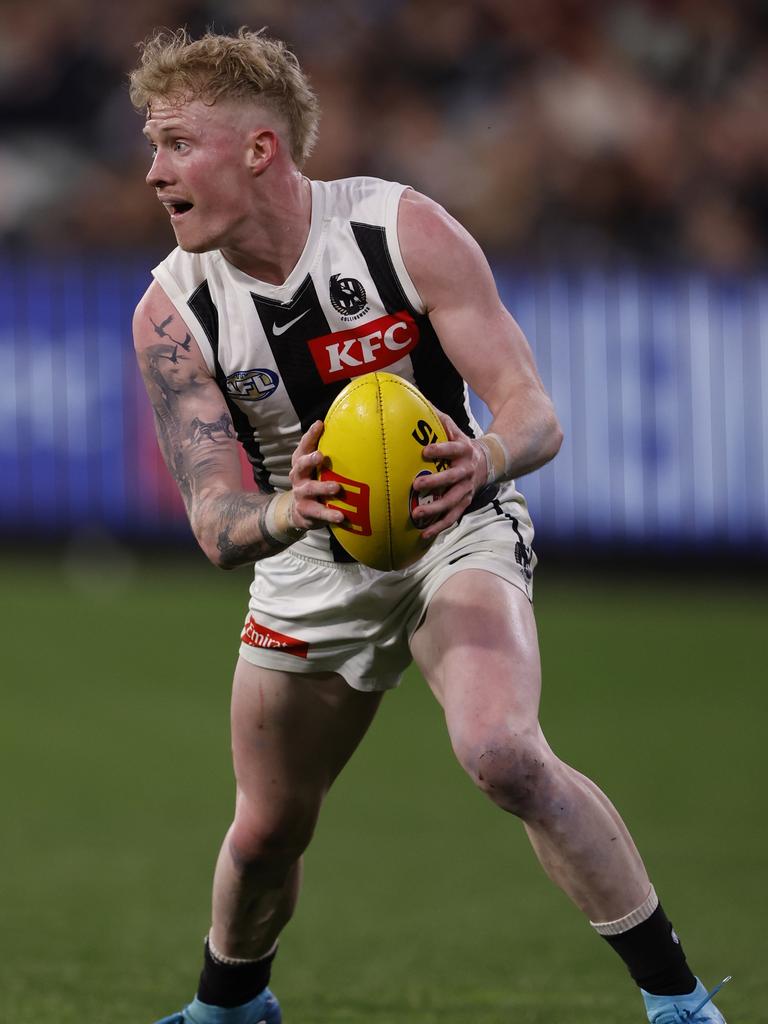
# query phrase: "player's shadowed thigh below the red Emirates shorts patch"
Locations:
[[292, 735]]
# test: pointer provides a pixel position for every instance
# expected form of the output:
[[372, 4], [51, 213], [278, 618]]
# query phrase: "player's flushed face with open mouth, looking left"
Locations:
[[200, 169]]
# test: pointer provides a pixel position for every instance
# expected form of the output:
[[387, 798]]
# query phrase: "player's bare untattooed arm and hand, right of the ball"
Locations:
[[486, 346]]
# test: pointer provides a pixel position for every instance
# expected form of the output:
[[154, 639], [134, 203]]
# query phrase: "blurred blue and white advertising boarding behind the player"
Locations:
[[661, 382]]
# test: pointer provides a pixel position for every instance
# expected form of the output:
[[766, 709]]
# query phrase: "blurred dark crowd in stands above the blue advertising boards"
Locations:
[[558, 131]]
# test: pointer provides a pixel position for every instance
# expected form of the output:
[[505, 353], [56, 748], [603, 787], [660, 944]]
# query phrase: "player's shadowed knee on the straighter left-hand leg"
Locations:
[[270, 840]]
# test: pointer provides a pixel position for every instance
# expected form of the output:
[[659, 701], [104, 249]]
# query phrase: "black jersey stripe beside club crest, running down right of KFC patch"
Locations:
[[435, 374]]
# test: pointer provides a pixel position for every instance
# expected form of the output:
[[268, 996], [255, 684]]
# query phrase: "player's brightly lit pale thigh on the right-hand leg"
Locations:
[[479, 651]]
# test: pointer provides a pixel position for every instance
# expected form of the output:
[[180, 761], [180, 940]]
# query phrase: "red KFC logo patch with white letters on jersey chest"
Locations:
[[370, 347]]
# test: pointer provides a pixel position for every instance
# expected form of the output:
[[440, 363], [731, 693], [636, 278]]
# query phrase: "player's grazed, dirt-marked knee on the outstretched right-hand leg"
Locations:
[[520, 774]]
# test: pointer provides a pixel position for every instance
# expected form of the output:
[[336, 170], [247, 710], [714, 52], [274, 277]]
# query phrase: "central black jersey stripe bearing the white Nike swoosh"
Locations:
[[289, 327]]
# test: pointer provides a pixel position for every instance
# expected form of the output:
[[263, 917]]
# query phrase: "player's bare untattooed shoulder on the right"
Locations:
[[440, 253]]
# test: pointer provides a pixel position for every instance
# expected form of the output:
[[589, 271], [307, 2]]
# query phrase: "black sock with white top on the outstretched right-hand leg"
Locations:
[[656, 960]]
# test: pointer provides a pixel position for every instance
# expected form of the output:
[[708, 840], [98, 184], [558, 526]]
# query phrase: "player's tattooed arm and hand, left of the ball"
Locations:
[[200, 448]]
